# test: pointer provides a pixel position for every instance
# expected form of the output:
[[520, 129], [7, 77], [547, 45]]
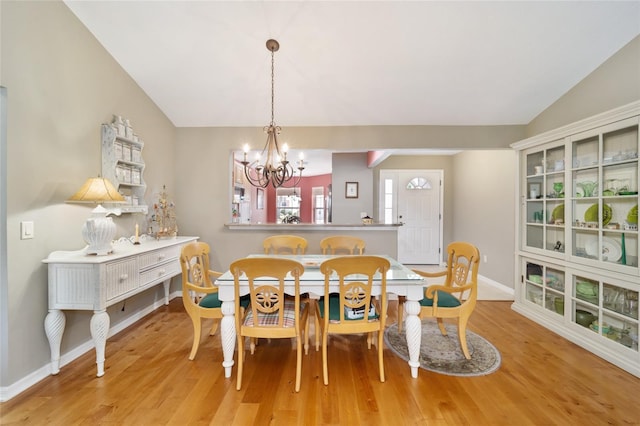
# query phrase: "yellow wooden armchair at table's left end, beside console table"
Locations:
[[199, 294]]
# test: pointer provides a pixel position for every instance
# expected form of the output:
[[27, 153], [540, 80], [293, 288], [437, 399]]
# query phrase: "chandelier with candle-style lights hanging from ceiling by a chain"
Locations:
[[276, 169]]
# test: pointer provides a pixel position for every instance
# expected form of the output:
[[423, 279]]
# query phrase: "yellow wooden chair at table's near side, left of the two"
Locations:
[[270, 313]]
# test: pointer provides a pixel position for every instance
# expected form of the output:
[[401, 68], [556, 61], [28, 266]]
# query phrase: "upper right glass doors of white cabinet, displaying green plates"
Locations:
[[604, 195]]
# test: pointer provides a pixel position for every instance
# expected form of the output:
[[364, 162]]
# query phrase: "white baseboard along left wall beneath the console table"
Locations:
[[13, 390]]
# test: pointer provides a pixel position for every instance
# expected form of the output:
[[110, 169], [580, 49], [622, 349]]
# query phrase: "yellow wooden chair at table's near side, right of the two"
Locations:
[[351, 310]]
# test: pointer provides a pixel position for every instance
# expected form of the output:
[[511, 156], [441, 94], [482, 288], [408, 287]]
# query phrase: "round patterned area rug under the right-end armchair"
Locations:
[[442, 354]]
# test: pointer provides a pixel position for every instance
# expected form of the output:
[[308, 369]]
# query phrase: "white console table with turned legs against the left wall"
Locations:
[[78, 281]]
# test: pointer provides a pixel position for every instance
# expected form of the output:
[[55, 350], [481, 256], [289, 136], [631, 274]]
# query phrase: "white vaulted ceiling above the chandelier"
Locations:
[[204, 63]]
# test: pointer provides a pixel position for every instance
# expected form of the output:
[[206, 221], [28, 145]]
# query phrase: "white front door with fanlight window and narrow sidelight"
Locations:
[[414, 198]]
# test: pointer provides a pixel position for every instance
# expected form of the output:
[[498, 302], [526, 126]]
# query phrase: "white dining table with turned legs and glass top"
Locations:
[[401, 281]]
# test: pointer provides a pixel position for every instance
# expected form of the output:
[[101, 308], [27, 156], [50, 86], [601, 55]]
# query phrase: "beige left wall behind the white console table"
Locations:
[[62, 85]]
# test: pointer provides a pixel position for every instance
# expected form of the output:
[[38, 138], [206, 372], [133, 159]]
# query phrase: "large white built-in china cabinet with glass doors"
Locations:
[[577, 233]]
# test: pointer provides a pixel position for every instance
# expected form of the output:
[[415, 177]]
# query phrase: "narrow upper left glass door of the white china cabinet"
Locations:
[[544, 200]]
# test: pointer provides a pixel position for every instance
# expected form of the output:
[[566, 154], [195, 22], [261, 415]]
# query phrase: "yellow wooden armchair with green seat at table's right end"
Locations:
[[457, 296]]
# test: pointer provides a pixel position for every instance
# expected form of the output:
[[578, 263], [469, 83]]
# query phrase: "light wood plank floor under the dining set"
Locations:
[[543, 380]]
